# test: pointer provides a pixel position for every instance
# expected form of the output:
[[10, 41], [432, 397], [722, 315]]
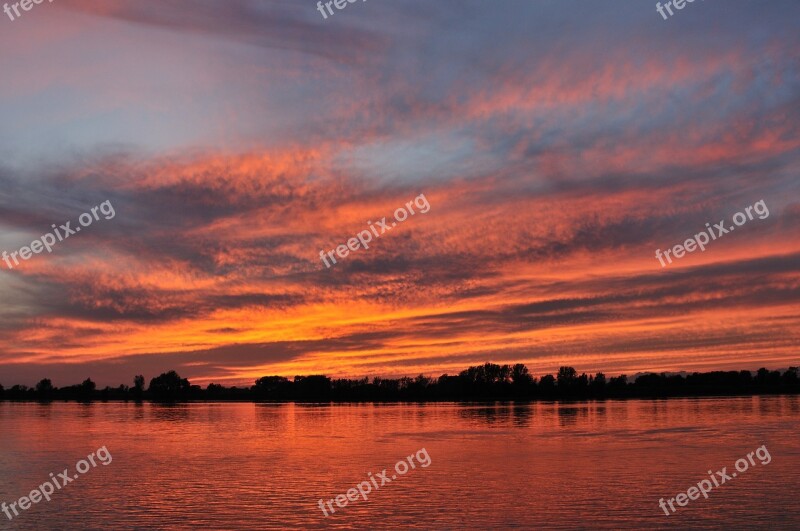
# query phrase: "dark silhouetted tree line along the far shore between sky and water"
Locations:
[[478, 383]]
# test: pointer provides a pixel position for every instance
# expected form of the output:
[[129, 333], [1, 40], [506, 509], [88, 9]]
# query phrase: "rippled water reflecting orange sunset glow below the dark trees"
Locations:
[[255, 466]]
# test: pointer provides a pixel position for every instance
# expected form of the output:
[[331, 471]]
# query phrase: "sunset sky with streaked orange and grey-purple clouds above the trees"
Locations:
[[558, 143]]
